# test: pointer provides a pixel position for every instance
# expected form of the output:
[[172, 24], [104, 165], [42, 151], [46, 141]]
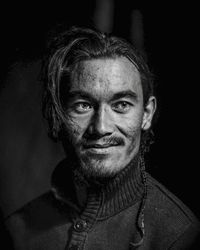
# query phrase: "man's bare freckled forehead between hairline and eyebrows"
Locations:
[[106, 75]]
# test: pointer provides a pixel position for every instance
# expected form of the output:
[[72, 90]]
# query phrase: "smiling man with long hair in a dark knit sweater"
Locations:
[[99, 102]]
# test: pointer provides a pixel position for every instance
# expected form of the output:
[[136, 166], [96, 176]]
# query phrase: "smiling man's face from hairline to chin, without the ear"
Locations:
[[104, 114]]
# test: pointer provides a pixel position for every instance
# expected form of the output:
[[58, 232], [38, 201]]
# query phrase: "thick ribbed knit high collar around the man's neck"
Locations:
[[107, 196]]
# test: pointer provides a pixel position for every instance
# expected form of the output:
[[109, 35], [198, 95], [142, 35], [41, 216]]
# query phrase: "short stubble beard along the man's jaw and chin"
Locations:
[[102, 166]]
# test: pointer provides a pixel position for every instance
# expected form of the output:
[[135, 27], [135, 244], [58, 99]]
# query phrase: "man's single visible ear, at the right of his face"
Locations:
[[149, 111]]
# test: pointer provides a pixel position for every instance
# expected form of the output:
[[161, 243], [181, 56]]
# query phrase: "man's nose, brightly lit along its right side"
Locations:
[[101, 123]]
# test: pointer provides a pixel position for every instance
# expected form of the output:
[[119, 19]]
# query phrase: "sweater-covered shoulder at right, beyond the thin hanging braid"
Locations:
[[169, 216]]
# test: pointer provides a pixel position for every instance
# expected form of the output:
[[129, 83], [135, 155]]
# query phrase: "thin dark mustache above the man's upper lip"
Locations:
[[109, 141]]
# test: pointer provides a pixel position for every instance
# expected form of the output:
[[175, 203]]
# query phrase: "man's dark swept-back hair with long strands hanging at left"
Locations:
[[68, 48]]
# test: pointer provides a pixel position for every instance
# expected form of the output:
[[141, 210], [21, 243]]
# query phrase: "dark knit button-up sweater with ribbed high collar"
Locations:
[[108, 219]]
